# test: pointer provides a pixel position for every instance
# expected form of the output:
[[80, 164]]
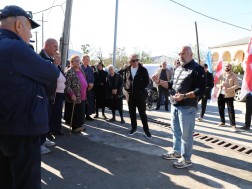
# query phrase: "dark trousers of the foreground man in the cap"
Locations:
[[20, 162]]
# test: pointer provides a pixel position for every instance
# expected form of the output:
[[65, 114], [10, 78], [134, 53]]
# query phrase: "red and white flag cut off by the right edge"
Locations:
[[247, 79]]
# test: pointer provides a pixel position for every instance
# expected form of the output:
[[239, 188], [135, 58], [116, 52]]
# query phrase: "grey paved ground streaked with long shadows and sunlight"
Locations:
[[105, 157]]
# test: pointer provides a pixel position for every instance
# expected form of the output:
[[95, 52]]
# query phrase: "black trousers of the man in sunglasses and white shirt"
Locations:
[[139, 102]]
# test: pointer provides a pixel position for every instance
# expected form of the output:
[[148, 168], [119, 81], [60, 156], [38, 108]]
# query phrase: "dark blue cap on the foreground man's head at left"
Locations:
[[13, 10]]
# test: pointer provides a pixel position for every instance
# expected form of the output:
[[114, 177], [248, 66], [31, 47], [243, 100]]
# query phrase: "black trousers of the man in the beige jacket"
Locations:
[[230, 104]]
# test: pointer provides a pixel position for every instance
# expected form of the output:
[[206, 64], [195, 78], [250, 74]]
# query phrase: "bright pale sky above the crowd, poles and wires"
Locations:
[[158, 27]]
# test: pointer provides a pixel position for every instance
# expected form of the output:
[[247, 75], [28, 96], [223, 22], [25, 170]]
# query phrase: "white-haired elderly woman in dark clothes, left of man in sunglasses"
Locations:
[[115, 93]]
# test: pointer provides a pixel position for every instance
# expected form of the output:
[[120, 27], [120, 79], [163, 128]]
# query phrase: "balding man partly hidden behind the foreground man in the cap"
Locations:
[[48, 52]]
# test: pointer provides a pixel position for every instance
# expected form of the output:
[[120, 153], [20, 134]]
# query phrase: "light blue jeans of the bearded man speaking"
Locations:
[[182, 125]]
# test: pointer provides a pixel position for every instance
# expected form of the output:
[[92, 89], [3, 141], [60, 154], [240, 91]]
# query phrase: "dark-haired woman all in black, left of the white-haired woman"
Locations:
[[100, 77]]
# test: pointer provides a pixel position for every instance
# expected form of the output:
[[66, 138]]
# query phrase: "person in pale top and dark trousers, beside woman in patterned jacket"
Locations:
[[59, 98]]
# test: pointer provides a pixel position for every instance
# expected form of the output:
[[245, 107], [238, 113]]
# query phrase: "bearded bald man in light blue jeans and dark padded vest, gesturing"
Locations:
[[186, 86]]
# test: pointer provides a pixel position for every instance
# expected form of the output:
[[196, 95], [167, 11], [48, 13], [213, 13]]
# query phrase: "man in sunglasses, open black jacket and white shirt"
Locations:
[[136, 79]]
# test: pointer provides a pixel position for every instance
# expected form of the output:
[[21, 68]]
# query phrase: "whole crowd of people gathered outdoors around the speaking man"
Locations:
[[37, 87]]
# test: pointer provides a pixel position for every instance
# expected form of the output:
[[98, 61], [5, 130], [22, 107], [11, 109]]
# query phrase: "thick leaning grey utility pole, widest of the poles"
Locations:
[[64, 41]]
